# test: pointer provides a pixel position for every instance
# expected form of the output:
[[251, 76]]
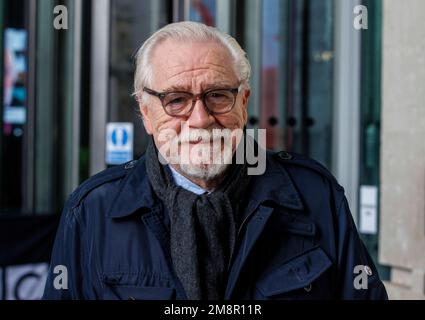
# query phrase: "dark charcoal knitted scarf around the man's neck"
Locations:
[[202, 227]]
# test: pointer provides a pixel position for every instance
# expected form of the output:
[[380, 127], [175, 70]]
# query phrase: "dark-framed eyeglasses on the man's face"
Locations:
[[181, 103]]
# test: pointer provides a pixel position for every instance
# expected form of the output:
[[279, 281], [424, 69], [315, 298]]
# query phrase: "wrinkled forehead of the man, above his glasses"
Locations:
[[177, 63]]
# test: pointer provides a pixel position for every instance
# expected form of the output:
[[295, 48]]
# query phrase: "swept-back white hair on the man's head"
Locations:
[[183, 32]]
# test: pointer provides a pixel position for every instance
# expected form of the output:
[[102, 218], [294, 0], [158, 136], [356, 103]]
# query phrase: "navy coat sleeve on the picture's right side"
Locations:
[[357, 275]]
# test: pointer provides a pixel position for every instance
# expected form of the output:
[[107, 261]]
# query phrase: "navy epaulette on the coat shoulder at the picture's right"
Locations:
[[292, 158]]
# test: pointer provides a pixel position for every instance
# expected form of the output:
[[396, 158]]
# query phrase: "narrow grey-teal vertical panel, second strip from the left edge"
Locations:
[[46, 113]]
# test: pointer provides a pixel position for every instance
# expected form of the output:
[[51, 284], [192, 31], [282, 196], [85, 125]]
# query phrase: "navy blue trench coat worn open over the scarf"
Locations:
[[296, 239]]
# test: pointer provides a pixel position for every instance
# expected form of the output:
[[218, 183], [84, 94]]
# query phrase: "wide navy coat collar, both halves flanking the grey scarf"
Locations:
[[275, 185]]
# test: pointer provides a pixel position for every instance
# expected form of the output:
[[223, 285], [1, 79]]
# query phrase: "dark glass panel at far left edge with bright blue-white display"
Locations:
[[14, 105]]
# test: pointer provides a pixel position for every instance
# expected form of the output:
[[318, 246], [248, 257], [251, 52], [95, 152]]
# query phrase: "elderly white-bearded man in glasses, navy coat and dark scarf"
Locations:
[[188, 220]]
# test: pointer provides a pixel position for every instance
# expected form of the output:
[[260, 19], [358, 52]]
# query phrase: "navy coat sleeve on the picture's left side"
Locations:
[[65, 273]]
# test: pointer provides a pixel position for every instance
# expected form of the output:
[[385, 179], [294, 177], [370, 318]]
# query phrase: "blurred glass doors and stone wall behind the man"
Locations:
[[351, 98]]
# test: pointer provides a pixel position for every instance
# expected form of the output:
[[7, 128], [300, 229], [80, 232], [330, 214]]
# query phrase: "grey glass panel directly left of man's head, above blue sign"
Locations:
[[132, 22]]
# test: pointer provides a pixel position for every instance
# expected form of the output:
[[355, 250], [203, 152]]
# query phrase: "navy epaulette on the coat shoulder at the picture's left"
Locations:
[[105, 176]]
